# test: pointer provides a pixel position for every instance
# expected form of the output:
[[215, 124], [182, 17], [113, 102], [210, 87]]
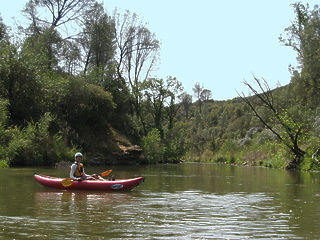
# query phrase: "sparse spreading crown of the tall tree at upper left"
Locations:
[[48, 33]]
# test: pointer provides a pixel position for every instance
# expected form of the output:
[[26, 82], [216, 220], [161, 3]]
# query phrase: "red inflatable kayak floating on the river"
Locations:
[[97, 185]]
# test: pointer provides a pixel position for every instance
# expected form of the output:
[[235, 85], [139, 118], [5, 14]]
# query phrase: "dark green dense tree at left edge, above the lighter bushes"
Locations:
[[20, 84]]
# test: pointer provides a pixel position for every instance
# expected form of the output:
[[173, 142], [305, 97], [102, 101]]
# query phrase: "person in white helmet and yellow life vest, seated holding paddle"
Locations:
[[77, 170]]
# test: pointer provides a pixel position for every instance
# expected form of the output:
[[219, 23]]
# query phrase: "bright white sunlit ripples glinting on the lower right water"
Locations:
[[204, 215]]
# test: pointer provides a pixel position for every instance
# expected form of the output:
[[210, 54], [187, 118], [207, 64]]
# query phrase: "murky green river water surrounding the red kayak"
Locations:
[[183, 201]]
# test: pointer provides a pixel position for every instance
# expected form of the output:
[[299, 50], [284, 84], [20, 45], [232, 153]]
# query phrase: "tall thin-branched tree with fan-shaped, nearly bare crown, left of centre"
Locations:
[[137, 52]]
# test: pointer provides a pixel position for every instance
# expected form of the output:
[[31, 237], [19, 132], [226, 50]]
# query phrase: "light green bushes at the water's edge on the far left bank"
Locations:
[[31, 145]]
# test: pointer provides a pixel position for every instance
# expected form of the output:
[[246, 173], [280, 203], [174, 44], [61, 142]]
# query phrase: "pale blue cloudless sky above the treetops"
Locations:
[[218, 44]]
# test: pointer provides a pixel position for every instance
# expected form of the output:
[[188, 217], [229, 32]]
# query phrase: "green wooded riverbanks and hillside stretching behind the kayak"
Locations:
[[76, 79]]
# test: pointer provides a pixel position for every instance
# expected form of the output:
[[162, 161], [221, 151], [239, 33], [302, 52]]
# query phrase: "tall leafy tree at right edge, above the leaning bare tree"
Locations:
[[303, 36]]
